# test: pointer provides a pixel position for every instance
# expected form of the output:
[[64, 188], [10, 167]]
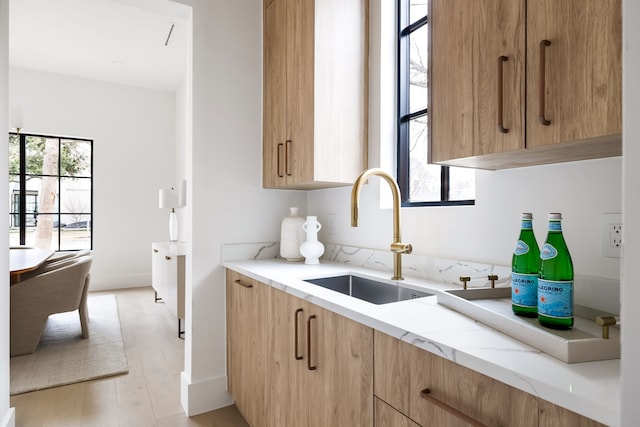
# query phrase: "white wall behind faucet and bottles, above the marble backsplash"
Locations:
[[486, 232]]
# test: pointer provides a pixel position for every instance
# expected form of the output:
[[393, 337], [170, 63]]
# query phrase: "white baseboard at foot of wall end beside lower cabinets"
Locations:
[[203, 396]]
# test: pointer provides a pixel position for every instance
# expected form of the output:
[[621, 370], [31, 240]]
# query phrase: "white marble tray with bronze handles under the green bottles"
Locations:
[[492, 307]]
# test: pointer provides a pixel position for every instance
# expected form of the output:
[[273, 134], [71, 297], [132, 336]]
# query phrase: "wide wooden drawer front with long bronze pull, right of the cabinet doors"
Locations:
[[458, 396]]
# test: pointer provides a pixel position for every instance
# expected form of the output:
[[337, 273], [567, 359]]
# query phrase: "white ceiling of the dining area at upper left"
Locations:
[[120, 41]]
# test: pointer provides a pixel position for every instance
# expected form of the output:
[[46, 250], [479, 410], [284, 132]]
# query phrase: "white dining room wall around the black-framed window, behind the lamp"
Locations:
[[134, 136]]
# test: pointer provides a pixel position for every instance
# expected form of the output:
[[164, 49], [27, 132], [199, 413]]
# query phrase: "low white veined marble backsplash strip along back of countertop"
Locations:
[[600, 293]]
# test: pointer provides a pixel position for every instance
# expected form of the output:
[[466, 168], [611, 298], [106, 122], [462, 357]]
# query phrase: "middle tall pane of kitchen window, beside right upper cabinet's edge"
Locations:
[[418, 73]]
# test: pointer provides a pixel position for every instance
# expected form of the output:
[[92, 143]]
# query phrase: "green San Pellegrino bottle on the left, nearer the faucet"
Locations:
[[524, 270]]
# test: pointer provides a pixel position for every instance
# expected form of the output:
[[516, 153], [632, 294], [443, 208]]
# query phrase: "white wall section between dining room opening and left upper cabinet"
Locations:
[[226, 202]]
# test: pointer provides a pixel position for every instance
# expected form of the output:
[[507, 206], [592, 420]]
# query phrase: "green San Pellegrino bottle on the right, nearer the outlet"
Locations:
[[555, 280]]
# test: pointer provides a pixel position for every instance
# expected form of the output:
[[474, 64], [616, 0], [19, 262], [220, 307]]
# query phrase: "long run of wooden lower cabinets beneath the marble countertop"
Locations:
[[291, 363]]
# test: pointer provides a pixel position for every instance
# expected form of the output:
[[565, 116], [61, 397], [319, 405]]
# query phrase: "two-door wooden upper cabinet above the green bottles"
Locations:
[[479, 98]]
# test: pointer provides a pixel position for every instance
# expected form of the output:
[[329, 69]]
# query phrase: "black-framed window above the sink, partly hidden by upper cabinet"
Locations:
[[421, 183]]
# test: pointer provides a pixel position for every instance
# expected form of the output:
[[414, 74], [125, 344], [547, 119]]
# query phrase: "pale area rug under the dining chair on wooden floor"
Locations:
[[64, 357]]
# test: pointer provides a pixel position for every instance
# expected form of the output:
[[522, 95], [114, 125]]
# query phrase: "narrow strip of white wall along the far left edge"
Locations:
[[7, 415]]
